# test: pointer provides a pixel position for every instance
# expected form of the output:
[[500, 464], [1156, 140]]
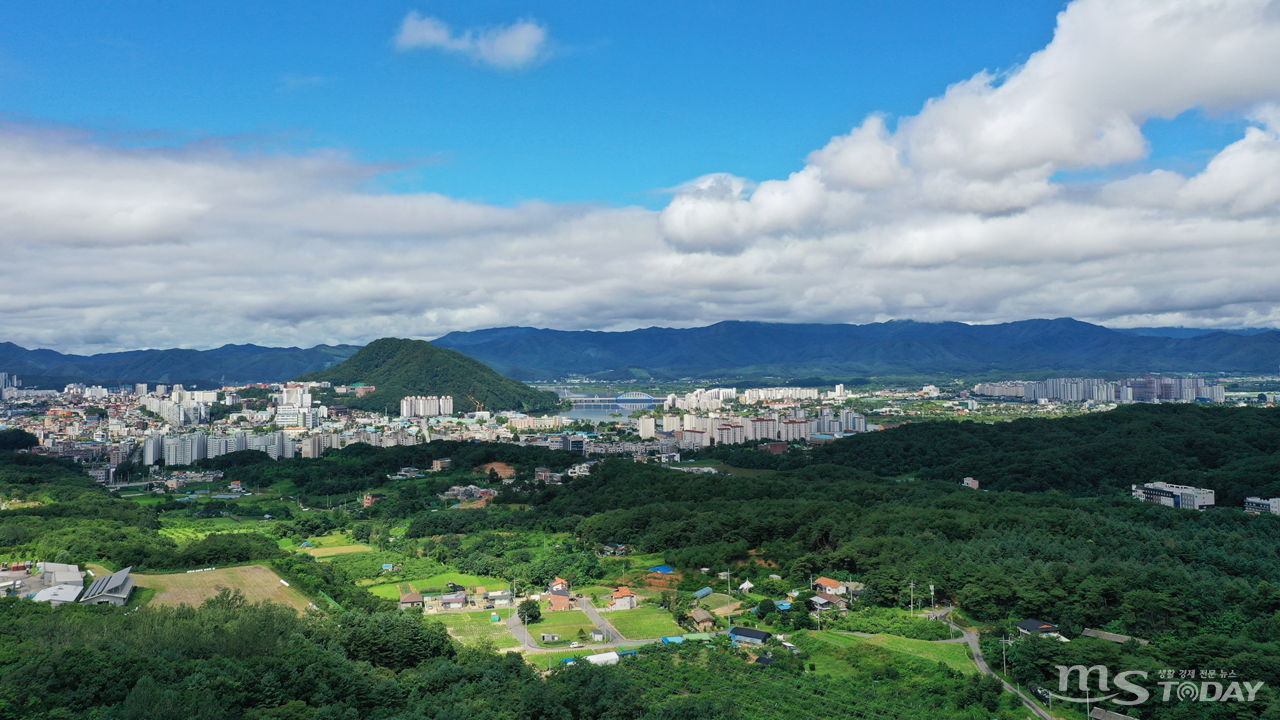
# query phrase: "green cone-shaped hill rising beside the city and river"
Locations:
[[400, 368]]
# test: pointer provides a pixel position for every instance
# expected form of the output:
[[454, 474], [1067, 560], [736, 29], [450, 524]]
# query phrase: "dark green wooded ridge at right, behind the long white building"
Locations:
[[1236, 452]]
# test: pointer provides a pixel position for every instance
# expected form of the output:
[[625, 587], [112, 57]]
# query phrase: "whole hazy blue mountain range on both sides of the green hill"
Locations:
[[730, 349]]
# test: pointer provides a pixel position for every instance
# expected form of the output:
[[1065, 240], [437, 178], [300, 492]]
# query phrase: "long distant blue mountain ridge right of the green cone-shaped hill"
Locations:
[[1055, 347]]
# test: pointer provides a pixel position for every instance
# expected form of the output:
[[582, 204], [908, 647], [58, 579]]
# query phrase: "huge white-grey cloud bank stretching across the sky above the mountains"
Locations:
[[950, 215]]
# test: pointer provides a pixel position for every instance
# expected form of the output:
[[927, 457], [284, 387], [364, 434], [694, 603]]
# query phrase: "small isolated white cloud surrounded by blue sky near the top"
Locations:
[[504, 47]]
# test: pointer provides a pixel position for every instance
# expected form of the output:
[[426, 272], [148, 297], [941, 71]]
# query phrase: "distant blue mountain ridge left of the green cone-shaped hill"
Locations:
[[234, 363]]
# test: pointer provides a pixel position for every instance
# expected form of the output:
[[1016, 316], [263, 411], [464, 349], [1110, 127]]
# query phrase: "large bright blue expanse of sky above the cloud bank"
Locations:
[[634, 98]]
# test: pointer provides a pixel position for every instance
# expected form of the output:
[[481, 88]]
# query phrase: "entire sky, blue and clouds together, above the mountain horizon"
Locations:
[[435, 170]]
